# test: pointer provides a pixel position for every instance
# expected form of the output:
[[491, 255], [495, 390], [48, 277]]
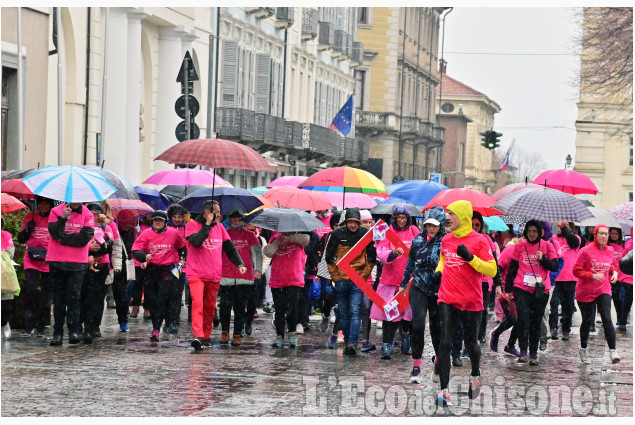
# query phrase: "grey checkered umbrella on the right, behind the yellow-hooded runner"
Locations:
[[544, 204]]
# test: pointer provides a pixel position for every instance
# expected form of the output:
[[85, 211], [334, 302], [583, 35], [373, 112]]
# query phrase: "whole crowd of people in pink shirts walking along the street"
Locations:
[[77, 254]]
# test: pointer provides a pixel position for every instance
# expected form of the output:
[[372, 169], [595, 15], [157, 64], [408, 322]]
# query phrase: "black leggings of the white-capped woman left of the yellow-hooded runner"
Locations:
[[421, 304]]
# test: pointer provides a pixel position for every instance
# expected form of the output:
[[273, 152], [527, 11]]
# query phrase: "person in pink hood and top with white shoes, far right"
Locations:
[[596, 272]]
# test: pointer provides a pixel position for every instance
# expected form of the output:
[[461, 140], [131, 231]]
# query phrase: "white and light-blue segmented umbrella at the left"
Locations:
[[69, 183]]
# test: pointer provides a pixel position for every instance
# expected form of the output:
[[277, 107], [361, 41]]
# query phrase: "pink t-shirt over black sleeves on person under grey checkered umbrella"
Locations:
[[529, 268]]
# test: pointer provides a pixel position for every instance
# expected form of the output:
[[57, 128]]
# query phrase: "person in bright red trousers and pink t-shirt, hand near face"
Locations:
[[207, 240]]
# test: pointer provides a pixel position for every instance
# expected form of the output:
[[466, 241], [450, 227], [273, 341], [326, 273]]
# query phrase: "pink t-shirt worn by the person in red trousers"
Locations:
[[206, 261]]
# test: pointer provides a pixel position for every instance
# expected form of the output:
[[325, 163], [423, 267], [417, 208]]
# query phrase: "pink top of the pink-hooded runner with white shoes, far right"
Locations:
[[592, 260]]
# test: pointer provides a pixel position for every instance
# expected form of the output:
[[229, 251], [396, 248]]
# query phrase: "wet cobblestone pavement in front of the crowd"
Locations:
[[127, 375]]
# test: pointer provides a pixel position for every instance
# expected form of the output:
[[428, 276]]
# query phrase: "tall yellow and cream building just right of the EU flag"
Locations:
[[396, 87]]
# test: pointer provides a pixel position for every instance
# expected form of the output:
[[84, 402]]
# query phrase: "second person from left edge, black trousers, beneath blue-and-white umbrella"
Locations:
[[34, 233]]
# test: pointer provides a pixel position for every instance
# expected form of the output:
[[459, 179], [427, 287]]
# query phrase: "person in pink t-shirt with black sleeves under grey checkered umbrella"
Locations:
[[528, 277]]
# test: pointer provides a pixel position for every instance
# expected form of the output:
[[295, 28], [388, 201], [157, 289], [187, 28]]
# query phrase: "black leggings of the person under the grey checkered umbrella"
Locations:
[[530, 311]]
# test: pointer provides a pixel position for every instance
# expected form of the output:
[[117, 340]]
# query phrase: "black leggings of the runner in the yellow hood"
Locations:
[[471, 322]]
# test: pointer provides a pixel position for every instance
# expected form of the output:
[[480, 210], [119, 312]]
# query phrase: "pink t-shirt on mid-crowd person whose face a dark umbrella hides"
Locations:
[[287, 265]]
